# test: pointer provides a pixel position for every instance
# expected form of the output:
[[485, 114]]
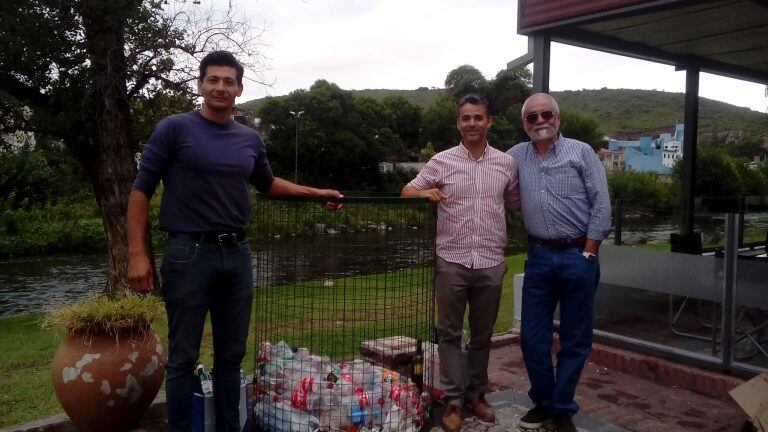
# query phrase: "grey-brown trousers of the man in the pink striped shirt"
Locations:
[[457, 287]]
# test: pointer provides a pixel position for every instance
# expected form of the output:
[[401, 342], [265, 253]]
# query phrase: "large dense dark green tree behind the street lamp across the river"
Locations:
[[341, 141]]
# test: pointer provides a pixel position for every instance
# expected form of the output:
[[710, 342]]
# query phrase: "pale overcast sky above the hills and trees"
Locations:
[[407, 44]]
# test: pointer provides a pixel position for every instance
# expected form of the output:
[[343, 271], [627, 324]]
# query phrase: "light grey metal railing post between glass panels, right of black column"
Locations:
[[729, 286]]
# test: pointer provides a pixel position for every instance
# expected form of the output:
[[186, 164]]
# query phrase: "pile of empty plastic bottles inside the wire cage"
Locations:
[[301, 392]]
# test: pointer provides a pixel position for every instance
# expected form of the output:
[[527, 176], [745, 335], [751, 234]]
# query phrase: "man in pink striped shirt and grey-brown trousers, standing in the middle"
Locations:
[[471, 183]]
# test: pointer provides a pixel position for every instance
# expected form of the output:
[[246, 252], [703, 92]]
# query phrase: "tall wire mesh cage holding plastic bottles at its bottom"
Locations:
[[344, 314]]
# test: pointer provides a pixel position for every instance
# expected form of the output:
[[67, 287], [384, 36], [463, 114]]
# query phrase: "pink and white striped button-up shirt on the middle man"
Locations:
[[471, 229]]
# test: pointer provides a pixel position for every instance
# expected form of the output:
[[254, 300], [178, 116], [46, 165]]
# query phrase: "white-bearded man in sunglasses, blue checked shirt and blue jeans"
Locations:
[[567, 213]]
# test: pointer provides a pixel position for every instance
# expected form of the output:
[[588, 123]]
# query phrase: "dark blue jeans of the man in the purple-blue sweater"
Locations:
[[198, 279]]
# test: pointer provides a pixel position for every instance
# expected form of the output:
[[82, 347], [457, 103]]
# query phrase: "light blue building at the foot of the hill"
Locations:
[[652, 155]]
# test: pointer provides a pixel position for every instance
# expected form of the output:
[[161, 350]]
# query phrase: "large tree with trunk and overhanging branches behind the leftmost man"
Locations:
[[74, 71]]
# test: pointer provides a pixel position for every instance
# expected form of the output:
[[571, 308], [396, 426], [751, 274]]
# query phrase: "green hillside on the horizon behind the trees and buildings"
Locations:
[[621, 113]]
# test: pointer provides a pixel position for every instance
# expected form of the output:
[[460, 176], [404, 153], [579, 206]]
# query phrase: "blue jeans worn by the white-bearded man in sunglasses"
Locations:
[[552, 276]]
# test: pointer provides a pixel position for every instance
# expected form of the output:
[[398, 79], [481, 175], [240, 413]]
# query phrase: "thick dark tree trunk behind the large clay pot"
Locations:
[[108, 156]]
